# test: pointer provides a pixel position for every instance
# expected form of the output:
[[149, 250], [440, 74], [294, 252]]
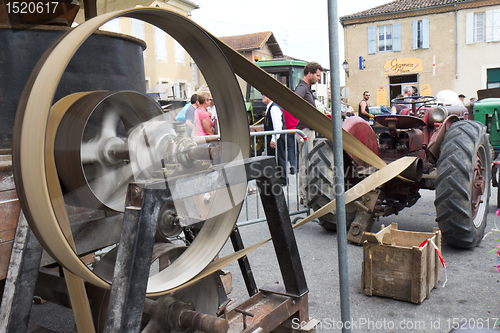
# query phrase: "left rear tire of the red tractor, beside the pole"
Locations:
[[320, 184]]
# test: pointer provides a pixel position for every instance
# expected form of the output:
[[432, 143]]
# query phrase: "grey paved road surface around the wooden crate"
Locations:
[[470, 295]]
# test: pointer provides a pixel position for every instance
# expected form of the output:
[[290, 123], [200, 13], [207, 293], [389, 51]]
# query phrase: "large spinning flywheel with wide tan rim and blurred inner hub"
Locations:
[[89, 146]]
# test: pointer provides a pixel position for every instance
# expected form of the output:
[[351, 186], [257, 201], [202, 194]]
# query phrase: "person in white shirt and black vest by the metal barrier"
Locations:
[[275, 121]]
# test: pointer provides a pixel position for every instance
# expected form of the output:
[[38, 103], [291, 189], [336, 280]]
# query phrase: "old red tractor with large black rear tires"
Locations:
[[453, 158]]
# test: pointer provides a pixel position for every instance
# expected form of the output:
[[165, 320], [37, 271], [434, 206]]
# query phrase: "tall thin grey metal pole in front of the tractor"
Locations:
[[333, 36]]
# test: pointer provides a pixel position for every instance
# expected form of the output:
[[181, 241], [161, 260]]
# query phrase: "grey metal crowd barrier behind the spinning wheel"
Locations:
[[252, 210]]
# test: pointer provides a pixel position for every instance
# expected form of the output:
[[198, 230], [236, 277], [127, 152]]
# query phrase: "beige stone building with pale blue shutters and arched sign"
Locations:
[[431, 45]]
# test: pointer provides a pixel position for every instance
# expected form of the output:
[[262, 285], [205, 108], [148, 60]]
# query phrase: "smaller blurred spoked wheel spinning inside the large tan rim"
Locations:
[[92, 150]]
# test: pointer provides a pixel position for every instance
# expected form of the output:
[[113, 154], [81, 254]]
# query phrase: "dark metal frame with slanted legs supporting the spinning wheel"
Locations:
[[128, 289]]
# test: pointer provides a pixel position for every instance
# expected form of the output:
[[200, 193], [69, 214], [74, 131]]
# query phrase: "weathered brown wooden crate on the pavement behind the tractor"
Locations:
[[394, 265]]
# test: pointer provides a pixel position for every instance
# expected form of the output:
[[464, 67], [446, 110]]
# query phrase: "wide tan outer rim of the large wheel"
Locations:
[[36, 126]]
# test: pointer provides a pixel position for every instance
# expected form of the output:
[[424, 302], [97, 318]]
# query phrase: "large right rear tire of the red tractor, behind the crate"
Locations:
[[463, 184]]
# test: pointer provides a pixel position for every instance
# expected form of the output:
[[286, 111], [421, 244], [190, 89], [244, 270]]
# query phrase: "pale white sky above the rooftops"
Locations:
[[301, 31]]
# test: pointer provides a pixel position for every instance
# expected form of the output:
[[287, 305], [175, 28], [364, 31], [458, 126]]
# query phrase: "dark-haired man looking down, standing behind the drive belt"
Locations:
[[312, 74]]
